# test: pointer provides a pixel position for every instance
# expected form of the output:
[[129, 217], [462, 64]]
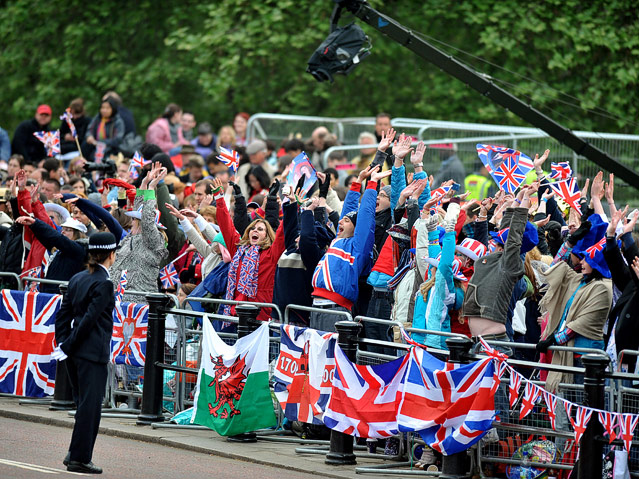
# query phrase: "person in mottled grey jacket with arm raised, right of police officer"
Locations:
[[144, 249]]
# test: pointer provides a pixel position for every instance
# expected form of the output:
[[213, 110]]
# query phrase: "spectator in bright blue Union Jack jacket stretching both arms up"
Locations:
[[335, 280]]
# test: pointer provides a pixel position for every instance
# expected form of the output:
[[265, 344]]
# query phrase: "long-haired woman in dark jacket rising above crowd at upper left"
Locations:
[[106, 127]]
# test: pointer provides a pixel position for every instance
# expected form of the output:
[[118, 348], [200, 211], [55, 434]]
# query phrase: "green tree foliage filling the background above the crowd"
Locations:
[[223, 56]]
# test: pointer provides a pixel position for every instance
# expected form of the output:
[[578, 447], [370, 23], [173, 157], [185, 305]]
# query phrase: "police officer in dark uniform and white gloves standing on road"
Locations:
[[83, 330]]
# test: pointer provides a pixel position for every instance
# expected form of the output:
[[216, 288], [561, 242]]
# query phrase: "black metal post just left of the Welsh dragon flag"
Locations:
[[151, 410]]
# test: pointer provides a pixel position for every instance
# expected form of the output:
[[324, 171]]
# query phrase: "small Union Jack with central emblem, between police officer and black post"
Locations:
[[128, 342]]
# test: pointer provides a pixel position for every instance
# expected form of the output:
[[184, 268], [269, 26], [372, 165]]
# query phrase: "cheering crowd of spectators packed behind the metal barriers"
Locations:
[[377, 236]]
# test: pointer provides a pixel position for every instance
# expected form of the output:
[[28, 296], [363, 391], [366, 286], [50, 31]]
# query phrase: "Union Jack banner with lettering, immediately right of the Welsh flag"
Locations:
[[304, 373]]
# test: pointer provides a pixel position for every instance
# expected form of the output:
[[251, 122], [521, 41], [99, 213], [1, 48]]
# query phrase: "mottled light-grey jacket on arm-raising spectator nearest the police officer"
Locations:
[[141, 256]]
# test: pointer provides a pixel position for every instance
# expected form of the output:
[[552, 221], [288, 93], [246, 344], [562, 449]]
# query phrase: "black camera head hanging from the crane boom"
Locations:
[[341, 51]]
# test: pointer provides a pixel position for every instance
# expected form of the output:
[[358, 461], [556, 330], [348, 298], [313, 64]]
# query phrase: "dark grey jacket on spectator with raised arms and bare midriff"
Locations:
[[491, 286]]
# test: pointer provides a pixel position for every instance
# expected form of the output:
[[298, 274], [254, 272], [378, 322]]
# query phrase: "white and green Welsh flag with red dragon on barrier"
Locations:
[[232, 394]]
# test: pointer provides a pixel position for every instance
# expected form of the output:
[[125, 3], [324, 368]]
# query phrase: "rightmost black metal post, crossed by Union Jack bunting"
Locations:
[[591, 449]]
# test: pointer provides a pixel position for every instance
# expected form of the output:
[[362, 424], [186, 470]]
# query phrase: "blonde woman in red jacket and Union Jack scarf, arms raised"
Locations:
[[255, 255]]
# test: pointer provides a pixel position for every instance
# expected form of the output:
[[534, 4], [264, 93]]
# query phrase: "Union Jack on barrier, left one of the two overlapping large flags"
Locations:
[[365, 399]]
